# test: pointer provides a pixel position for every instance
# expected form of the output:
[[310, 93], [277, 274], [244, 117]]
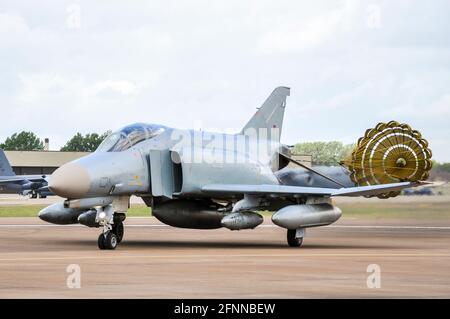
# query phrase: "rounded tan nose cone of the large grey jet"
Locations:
[[70, 181]]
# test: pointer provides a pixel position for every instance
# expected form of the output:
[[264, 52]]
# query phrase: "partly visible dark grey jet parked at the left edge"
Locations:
[[26, 185]]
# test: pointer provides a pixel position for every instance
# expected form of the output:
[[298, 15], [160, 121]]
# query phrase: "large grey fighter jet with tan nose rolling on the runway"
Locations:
[[204, 180]]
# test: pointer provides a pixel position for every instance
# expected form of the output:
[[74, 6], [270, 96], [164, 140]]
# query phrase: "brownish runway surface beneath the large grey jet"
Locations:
[[157, 261]]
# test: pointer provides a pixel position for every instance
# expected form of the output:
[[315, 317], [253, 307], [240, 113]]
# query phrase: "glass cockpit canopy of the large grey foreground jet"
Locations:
[[129, 136]]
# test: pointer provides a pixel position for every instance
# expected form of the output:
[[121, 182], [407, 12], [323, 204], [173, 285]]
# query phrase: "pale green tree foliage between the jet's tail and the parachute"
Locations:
[[324, 153]]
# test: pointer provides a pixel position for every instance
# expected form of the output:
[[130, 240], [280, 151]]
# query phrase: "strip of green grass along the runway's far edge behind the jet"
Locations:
[[355, 210]]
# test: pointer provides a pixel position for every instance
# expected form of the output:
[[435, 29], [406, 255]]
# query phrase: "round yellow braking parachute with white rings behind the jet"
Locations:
[[389, 153]]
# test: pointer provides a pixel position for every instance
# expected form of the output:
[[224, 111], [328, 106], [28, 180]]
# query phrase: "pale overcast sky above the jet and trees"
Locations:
[[91, 66]]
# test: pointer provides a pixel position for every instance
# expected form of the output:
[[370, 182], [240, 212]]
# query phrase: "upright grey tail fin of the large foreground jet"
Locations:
[[270, 114]]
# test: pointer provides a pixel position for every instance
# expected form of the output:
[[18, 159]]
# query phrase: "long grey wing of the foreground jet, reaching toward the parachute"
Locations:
[[285, 190]]
